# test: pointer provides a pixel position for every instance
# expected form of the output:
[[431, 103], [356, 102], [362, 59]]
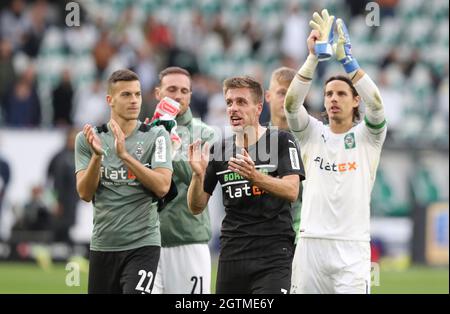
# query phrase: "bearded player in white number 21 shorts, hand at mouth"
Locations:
[[185, 263]]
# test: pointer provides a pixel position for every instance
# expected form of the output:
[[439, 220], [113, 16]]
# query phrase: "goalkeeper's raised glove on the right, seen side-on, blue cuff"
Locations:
[[343, 48]]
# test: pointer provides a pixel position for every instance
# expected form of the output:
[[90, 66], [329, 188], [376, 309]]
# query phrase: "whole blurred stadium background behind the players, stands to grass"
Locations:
[[51, 81]]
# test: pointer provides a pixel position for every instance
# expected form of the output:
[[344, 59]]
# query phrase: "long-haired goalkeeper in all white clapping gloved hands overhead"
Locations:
[[340, 159]]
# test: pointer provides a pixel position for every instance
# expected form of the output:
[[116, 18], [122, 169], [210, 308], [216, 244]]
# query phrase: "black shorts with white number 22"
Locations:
[[123, 272]]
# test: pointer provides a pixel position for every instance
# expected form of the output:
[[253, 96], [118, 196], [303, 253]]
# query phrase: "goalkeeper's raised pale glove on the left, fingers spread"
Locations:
[[324, 24]]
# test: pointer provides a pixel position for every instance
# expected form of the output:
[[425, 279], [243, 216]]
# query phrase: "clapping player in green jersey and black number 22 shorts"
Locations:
[[123, 167]]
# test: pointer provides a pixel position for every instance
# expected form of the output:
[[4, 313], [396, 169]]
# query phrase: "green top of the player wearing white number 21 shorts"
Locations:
[[178, 225]]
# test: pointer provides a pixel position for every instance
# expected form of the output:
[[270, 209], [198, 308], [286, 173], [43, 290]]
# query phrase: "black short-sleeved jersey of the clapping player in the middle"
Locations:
[[256, 223]]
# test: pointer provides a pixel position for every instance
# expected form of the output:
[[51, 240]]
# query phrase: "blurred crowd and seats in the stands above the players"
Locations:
[[52, 75]]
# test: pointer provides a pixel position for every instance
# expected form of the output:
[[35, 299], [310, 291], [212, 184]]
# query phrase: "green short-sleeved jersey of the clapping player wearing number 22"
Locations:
[[125, 212]]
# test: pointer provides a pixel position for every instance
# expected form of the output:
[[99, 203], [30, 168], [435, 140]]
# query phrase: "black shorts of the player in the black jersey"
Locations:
[[263, 275]]
